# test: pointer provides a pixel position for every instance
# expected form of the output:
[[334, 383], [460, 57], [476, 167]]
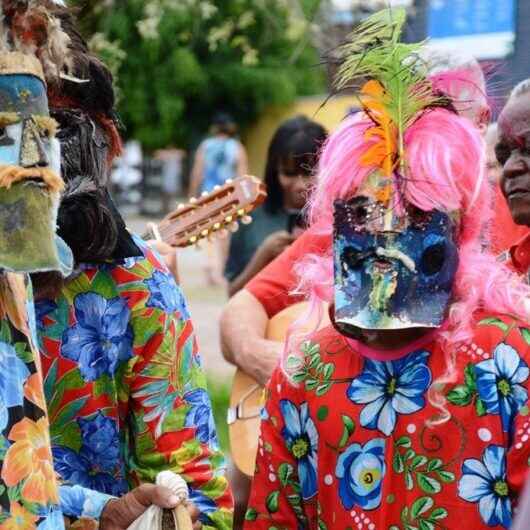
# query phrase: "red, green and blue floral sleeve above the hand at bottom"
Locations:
[[170, 416]]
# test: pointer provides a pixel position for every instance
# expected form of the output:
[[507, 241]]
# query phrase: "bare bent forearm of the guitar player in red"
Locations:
[[243, 326]]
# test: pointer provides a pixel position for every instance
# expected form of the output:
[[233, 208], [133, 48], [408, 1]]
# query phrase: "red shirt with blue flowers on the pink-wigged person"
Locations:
[[348, 447]]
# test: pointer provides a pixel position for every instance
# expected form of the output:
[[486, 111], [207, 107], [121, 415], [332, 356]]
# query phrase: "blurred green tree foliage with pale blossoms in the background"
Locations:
[[179, 61]]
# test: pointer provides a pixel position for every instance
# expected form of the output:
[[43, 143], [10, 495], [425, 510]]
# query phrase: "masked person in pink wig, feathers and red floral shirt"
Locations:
[[411, 410]]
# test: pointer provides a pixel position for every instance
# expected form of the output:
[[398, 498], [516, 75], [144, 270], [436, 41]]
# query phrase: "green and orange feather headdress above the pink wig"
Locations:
[[392, 82]]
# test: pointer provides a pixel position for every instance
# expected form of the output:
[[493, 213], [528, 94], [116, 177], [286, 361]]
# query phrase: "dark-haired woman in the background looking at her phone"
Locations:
[[291, 159]]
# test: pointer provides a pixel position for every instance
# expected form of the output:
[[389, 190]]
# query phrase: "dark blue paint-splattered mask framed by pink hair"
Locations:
[[394, 267]]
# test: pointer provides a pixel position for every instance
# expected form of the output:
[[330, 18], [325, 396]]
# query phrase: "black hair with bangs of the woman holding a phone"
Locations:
[[293, 149]]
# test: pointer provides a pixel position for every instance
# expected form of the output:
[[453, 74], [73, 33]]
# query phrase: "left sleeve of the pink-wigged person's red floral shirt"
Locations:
[[277, 496]]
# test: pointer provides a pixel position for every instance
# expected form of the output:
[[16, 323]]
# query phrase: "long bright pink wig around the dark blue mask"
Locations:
[[445, 171]]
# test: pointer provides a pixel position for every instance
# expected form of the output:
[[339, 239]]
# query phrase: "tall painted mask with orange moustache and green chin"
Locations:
[[30, 162]]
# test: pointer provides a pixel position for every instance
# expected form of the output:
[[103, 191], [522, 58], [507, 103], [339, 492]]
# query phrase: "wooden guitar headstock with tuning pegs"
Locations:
[[212, 212]]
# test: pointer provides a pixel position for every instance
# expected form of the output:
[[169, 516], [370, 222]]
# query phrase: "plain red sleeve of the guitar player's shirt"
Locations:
[[273, 284]]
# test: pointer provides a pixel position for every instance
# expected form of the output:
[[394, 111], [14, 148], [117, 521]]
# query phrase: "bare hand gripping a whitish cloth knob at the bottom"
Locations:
[[119, 514]]
